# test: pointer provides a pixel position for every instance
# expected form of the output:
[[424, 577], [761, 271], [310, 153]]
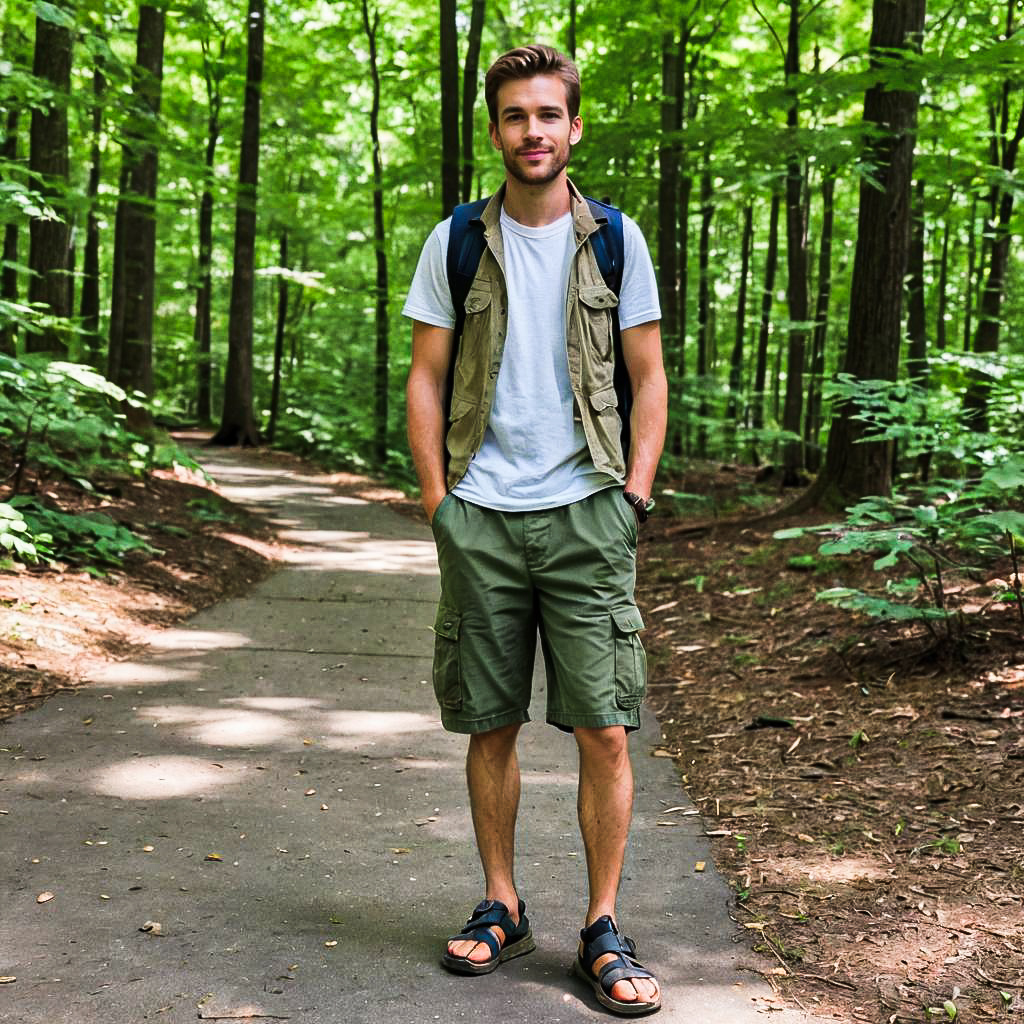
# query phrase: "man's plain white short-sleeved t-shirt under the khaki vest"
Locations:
[[535, 455]]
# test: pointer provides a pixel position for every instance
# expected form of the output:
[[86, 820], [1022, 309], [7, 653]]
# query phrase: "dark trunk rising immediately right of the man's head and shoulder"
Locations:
[[668, 195]]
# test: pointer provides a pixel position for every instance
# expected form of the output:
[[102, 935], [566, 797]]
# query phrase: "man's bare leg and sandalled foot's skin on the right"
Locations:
[[606, 805]]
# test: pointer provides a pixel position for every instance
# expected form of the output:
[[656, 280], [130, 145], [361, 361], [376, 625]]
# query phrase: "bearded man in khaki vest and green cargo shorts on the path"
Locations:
[[535, 509]]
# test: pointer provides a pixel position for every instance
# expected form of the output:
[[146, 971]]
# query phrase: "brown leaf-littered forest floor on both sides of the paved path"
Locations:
[[864, 789]]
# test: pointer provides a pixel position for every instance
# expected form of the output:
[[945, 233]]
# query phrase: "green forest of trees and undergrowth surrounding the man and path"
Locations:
[[211, 217]]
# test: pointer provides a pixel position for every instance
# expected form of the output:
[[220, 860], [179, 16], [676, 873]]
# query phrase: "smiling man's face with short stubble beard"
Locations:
[[534, 132]]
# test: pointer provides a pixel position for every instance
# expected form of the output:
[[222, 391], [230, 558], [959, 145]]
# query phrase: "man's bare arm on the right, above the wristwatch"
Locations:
[[643, 354]]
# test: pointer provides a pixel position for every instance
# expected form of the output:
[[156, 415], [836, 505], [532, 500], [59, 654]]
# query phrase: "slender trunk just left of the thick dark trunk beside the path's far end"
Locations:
[[204, 288]]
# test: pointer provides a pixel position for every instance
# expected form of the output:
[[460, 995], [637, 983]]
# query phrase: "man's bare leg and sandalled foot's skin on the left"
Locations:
[[493, 776]]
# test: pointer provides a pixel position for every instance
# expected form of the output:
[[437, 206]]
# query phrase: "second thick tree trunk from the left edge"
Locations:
[[132, 353]]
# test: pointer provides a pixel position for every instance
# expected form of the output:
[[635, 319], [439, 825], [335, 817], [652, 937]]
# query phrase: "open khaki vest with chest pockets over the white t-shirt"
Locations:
[[589, 310]]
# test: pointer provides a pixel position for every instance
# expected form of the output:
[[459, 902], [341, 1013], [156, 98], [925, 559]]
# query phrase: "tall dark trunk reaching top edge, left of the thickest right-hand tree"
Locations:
[[796, 290]]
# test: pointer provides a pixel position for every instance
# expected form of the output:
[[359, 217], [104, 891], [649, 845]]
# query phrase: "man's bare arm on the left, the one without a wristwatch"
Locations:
[[425, 410]]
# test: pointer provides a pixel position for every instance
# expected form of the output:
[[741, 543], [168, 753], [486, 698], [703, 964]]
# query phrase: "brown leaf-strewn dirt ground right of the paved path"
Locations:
[[865, 790]]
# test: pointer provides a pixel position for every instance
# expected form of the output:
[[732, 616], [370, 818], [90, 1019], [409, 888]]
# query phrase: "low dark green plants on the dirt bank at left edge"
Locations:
[[89, 541]]
